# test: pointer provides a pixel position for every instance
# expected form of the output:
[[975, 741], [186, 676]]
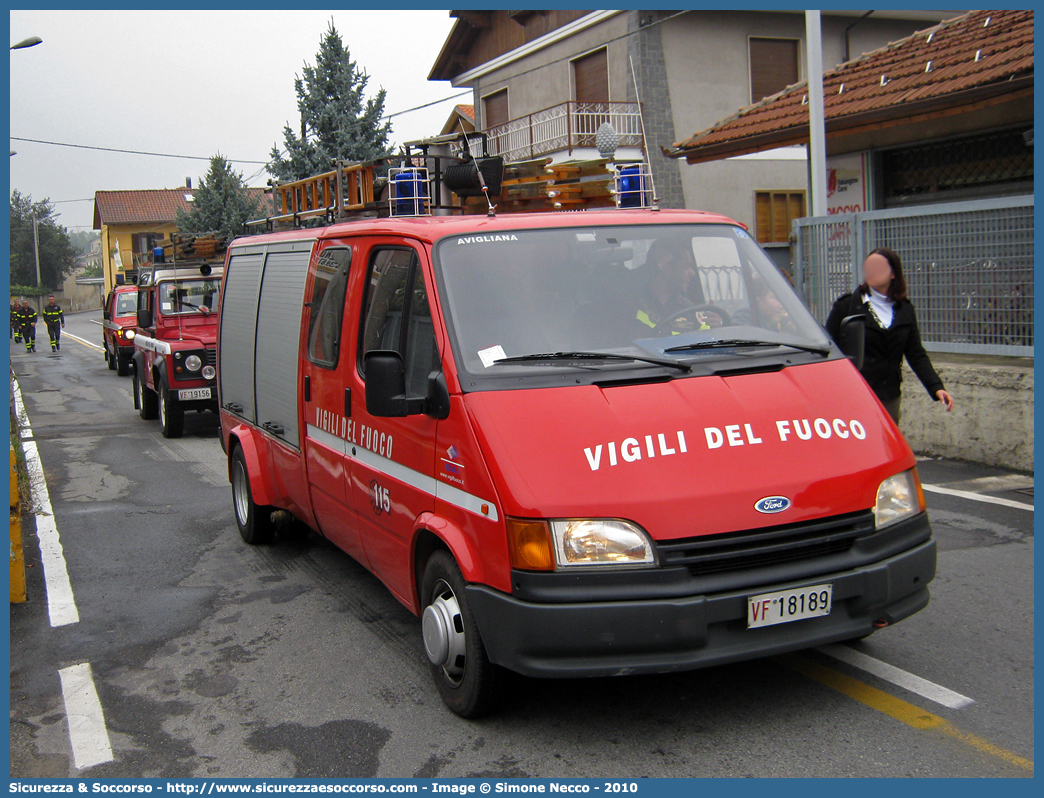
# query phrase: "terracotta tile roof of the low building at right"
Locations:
[[975, 52]]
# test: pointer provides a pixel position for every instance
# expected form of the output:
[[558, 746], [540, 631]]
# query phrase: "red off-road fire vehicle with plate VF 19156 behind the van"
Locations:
[[174, 363]]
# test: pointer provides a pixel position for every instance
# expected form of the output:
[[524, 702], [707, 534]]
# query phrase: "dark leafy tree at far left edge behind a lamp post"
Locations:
[[58, 257]]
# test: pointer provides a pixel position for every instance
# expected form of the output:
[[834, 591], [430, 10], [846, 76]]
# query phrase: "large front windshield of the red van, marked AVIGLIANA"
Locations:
[[666, 293]]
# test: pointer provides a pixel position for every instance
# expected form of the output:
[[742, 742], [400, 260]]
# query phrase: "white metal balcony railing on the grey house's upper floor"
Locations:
[[566, 127]]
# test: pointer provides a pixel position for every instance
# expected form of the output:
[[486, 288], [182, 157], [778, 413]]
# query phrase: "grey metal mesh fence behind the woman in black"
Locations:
[[969, 269]]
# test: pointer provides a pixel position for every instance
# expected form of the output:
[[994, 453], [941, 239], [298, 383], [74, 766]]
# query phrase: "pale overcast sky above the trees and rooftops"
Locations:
[[193, 83]]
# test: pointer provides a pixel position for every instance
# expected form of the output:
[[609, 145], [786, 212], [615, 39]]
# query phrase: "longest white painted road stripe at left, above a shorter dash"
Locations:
[[61, 603]]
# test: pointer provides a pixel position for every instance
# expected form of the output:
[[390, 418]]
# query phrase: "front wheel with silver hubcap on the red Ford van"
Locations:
[[469, 684]]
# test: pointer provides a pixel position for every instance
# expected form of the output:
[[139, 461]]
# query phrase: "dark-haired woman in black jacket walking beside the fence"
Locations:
[[892, 332]]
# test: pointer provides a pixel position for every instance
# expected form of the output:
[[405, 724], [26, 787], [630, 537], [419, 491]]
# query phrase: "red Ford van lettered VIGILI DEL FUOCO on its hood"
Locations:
[[581, 444]]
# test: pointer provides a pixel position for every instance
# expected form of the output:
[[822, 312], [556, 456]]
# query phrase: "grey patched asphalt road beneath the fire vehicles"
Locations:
[[211, 659]]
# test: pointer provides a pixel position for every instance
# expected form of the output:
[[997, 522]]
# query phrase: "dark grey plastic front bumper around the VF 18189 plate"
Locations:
[[680, 633]]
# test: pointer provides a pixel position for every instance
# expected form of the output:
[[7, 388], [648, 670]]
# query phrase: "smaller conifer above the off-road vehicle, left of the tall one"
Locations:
[[222, 204]]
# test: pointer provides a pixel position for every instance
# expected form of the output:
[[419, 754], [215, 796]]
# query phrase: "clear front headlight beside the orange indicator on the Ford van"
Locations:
[[601, 543]]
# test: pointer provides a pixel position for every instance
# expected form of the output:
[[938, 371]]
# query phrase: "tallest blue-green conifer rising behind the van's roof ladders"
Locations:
[[338, 123]]
